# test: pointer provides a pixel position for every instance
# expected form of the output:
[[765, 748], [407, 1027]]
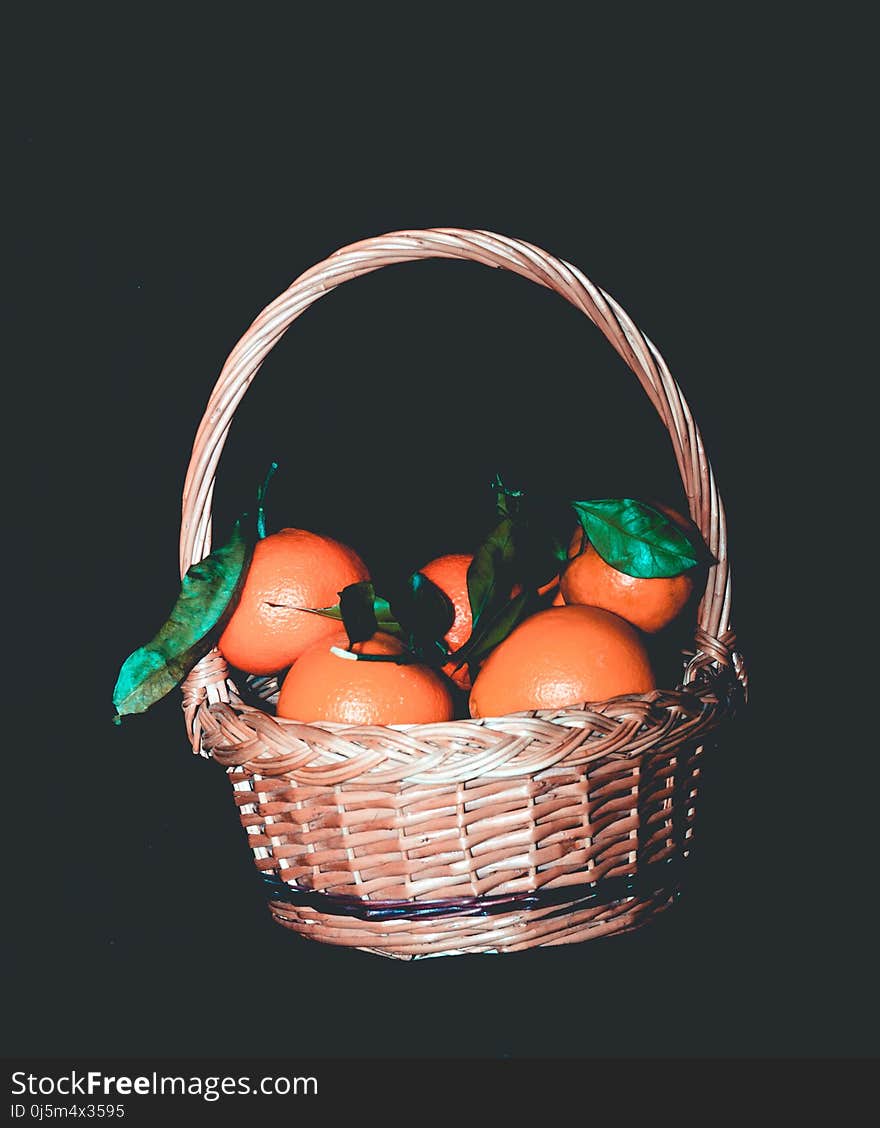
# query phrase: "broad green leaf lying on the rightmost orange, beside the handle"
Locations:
[[638, 540]]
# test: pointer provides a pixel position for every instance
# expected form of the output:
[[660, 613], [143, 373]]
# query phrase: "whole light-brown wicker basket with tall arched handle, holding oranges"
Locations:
[[489, 835]]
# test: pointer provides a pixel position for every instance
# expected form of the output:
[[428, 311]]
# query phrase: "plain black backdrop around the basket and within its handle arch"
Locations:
[[169, 188]]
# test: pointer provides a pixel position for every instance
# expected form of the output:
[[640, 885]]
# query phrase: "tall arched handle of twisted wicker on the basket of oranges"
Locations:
[[715, 639]]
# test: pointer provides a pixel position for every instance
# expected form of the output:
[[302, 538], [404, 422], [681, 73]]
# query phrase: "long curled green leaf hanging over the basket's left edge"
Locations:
[[209, 594]]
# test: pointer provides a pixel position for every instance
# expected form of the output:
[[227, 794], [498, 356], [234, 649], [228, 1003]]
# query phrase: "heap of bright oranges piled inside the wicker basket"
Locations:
[[588, 647]]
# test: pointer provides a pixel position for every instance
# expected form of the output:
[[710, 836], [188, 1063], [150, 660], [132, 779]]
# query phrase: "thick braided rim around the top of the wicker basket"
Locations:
[[247, 738]]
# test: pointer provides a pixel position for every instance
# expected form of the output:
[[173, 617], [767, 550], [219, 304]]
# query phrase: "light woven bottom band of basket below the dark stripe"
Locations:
[[507, 932]]
